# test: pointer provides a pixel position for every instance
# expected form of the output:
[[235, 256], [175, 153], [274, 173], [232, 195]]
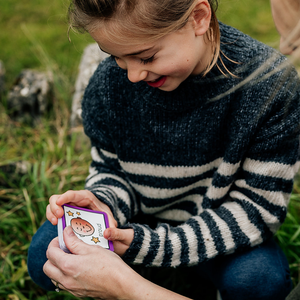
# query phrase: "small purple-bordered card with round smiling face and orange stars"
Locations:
[[87, 224]]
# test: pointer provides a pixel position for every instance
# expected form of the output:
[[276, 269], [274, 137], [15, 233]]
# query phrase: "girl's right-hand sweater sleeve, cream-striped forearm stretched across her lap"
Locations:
[[246, 201]]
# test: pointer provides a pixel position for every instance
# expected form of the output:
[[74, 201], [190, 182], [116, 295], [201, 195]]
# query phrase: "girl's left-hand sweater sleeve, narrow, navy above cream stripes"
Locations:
[[106, 180]]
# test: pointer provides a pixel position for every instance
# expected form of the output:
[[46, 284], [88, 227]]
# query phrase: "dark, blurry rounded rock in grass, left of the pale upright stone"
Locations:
[[31, 96]]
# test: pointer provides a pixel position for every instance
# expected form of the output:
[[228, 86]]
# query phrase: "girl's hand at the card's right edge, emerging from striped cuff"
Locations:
[[121, 238]]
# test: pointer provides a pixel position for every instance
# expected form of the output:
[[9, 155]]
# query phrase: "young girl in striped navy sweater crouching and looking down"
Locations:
[[195, 137]]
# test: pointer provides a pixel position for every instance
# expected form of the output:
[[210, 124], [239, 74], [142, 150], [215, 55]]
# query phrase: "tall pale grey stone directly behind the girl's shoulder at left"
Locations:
[[90, 60]]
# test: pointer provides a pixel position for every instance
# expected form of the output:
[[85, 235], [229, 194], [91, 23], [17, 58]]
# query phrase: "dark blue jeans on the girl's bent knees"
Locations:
[[259, 273]]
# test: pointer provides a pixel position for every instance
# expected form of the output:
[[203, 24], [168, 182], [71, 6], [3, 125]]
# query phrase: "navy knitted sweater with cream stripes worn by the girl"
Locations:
[[212, 162]]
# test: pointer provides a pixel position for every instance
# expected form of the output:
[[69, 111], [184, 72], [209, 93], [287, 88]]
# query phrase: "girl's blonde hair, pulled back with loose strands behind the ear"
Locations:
[[141, 20]]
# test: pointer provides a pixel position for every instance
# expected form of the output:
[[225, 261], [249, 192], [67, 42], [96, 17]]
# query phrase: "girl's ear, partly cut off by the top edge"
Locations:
[[201, 16]]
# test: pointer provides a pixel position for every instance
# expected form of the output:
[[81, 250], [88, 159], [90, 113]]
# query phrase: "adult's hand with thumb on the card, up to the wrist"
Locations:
[[78, 274]]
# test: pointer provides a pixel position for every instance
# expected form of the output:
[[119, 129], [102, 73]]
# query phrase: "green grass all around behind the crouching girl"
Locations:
[[35, 36]]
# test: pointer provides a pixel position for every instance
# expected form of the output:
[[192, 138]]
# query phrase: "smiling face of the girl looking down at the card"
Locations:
[[164, 63]]
